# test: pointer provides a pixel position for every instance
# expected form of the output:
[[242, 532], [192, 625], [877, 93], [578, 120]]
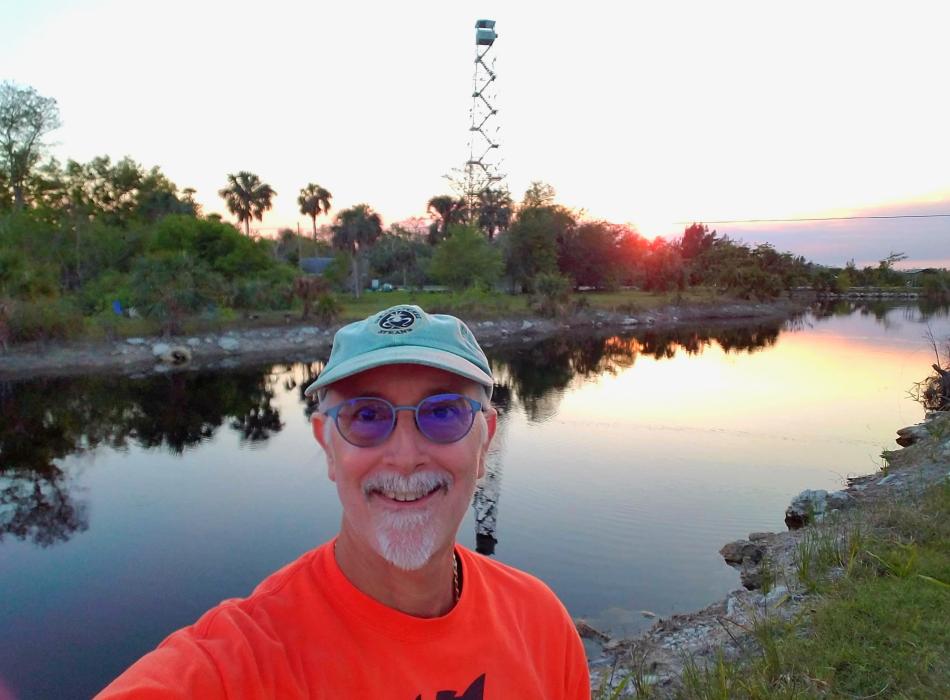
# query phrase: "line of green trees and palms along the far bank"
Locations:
[[89, 241]]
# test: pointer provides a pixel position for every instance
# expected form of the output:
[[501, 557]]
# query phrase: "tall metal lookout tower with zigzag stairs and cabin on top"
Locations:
[[482, 168]]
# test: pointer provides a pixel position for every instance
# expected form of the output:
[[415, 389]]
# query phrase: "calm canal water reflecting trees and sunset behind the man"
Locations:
[[621, 465]]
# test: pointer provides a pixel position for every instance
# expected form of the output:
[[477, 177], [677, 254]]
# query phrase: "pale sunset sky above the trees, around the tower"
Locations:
[[648, 113]]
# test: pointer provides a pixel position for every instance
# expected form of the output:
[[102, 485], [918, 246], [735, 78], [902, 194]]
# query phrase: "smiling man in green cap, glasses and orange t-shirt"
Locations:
[[391, 607]]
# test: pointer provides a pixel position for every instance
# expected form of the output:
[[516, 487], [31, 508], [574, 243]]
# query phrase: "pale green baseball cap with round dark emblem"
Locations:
[[405, 334]]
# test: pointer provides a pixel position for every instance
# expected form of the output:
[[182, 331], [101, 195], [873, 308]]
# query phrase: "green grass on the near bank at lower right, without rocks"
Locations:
[[877, 630]]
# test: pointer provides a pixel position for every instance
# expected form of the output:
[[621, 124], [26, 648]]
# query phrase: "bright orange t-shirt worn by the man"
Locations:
[[307, 632]]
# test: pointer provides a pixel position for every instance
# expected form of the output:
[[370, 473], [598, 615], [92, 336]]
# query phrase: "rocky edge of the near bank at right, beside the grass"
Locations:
[[767, 568]]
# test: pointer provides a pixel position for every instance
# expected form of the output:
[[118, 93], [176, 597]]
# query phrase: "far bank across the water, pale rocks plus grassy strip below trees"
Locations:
[[137, 345]]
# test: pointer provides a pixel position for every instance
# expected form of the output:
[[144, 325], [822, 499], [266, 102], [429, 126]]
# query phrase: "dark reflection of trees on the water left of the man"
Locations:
[[48, 419]]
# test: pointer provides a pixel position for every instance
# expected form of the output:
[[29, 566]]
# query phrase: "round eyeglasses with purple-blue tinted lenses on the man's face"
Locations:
[[368, 421]]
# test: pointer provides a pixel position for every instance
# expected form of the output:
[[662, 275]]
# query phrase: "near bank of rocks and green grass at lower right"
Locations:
[[853, 604]]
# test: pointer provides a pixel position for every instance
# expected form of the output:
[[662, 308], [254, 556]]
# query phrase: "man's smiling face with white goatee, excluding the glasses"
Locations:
[[404, 499]]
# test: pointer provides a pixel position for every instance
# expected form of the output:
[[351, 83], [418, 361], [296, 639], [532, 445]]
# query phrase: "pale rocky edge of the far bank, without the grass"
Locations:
[[308, 343]]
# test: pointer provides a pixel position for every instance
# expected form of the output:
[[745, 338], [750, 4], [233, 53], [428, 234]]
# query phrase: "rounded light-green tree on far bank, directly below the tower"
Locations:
[[465, 258]]
